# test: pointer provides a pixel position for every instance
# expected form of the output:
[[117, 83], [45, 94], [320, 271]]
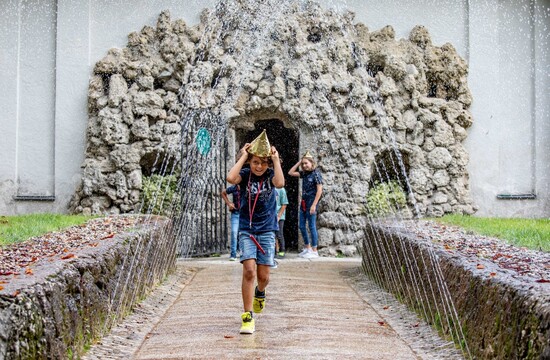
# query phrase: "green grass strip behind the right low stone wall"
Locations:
[[529, 233]]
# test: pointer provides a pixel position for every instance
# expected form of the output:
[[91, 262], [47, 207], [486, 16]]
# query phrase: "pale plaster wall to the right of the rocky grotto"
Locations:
[[510, 138]]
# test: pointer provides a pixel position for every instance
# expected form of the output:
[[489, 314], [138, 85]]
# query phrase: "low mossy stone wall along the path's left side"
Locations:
[[67, 304]]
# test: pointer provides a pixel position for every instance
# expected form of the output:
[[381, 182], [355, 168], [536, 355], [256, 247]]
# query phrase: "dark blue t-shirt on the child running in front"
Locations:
[[264, 217]]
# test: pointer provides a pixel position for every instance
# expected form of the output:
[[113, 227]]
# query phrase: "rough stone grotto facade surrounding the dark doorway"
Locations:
[[353, 95]]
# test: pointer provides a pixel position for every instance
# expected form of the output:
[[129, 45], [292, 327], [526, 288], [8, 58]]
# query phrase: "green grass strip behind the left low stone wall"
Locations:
[[15, 229]]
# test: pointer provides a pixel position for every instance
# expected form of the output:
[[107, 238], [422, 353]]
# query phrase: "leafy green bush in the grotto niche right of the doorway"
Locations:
[[385, 198]]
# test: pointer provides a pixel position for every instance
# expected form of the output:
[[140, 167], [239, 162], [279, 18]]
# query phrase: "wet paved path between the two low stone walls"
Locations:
[[312, 312]]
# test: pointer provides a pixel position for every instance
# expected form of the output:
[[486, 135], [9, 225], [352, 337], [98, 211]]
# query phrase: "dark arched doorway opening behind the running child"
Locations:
[[287, 143]]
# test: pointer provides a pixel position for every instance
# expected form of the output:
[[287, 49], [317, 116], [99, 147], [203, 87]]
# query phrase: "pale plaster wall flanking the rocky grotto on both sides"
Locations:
[[509, 79]]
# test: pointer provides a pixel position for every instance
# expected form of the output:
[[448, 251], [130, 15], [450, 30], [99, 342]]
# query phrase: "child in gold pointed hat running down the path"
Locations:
[[257, 222]]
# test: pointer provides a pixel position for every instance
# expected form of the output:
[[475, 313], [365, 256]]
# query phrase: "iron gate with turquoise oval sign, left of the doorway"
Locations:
[[204, 215]]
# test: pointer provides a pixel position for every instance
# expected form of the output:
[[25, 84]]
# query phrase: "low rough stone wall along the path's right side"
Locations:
[[502, 317]]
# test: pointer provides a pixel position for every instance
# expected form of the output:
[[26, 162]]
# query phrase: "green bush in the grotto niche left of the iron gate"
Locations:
[[159, 194]]
